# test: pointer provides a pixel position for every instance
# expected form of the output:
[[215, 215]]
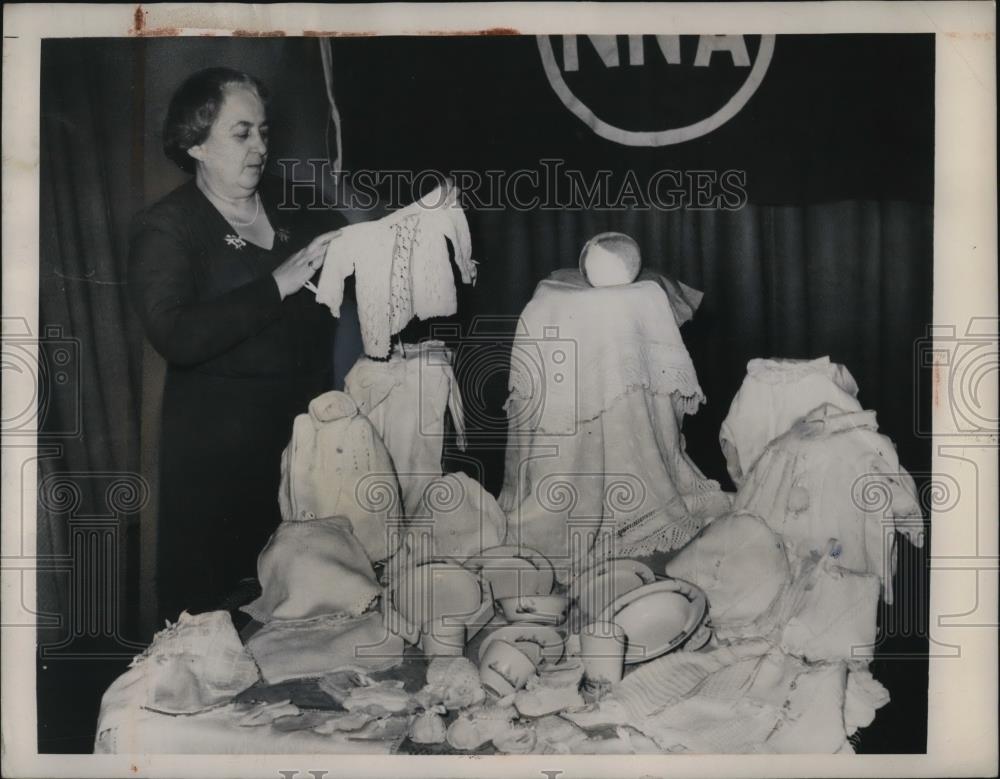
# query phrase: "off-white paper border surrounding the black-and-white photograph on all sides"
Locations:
[[962, 696]]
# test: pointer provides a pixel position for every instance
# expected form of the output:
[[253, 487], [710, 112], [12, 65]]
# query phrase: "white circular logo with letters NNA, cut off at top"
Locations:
[[667, 89]]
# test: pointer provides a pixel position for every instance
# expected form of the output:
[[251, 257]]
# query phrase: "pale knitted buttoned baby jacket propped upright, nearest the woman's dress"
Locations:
[[337, 465]]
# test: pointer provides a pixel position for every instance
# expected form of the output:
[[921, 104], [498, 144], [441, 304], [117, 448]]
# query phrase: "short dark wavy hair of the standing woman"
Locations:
[[194, 107]]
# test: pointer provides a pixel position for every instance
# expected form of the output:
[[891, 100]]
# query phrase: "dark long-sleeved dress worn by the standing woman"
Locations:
[[241, 363]]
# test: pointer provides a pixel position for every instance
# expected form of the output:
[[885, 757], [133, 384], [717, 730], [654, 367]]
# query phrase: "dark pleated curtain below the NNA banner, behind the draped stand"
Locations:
[[849, 279]]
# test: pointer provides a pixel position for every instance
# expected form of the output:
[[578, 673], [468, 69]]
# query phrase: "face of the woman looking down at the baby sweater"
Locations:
[[232, 157]]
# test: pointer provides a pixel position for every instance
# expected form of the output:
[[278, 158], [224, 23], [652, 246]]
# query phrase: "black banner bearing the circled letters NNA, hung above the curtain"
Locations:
[[660, 121]]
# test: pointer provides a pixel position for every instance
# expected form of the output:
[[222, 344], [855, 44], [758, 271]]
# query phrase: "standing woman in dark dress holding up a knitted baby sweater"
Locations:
[[216, 275]]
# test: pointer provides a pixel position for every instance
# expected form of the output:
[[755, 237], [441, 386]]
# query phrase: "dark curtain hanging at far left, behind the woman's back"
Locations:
[[90, 485]]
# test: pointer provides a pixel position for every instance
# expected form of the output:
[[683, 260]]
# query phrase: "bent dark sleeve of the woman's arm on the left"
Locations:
[[185, 330]]
